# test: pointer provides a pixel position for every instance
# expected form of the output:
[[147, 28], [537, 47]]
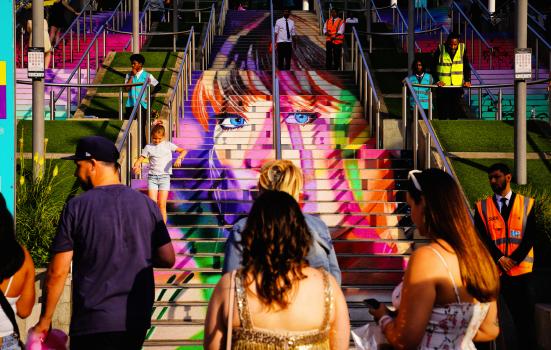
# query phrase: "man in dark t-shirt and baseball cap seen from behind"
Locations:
[[114, 237]]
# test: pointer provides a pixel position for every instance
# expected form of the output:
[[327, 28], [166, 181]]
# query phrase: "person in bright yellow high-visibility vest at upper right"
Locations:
[[452, 70]]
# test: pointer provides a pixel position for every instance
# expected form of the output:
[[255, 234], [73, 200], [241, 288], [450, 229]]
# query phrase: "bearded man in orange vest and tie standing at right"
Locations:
[[505, 222]]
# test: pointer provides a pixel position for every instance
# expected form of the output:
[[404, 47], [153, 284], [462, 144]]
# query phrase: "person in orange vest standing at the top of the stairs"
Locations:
[[334, 37]]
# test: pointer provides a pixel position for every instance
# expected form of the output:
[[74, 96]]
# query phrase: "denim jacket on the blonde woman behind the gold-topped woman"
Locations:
[[321, 253]]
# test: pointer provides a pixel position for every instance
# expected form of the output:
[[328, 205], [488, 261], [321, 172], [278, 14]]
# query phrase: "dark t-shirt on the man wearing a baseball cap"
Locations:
[[113, 232]]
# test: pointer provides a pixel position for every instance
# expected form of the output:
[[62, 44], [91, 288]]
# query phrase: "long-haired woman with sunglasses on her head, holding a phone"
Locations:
[[448, 296]]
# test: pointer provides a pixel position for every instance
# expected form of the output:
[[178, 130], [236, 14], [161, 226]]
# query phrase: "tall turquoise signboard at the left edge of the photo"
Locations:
[[7, 104]]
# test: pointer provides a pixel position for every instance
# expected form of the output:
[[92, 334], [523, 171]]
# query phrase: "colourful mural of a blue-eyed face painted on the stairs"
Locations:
[[227, 131]]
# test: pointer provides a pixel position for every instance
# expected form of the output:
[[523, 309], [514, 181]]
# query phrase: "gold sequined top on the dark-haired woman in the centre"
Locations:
[[248, 337]]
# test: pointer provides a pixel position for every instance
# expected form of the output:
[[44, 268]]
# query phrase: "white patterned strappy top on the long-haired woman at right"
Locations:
[[451, 326]]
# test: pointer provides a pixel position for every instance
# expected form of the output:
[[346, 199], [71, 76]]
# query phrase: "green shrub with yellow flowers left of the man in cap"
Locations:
[[39, 204]]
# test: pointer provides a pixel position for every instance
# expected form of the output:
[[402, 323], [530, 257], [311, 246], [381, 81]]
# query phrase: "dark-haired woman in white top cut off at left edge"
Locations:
[[16, 277]]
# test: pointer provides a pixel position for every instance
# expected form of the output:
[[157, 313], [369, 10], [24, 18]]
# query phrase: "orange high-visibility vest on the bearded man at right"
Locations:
[[507, 237]]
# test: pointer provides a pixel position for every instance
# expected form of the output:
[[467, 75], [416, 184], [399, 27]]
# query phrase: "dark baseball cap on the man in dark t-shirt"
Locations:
[[95, 147]]
